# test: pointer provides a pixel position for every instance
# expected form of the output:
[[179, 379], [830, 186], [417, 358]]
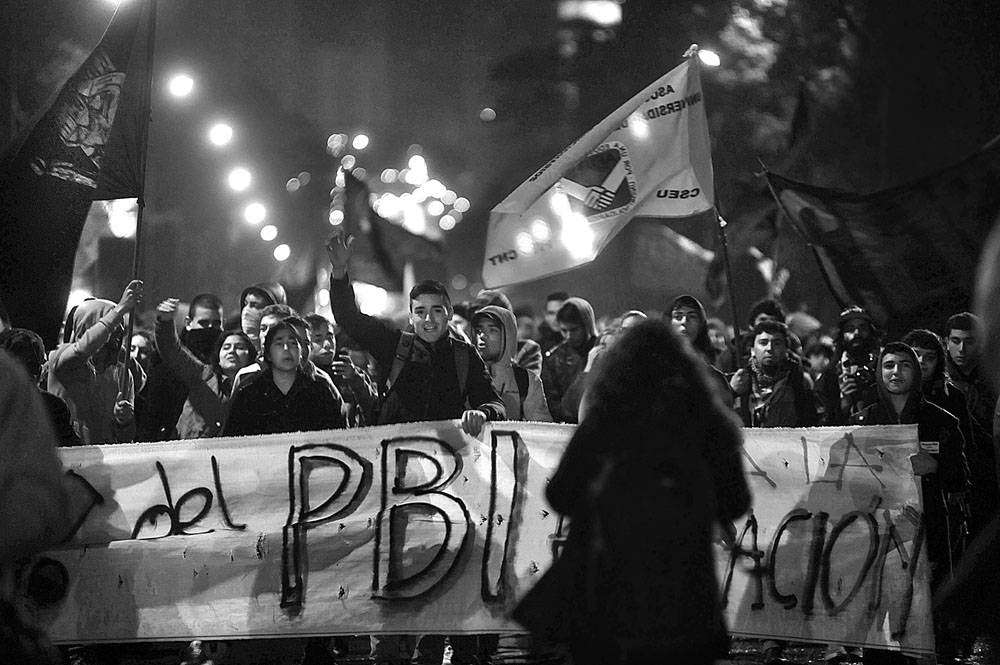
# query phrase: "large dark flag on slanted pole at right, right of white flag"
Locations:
[[906, 254]]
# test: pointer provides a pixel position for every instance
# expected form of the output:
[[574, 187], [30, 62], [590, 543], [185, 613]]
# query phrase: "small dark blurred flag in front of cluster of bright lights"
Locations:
[[381, 248]]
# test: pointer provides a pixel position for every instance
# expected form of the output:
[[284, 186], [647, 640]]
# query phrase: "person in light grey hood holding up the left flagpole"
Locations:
[[88, 372]]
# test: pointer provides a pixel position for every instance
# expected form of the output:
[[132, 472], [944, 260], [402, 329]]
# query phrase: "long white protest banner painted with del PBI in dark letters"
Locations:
[[419, 528]]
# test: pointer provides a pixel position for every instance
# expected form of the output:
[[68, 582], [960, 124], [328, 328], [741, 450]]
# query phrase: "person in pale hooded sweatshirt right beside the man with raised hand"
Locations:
[[495, 334]]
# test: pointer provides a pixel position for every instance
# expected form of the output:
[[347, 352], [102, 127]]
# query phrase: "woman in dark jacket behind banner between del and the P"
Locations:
[[284, 397]]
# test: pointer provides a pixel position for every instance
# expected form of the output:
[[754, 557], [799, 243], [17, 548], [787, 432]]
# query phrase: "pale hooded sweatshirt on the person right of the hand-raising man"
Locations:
[[534, 406]]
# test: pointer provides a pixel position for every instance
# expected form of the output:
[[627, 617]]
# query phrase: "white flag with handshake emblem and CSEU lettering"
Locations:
[[650, 158]]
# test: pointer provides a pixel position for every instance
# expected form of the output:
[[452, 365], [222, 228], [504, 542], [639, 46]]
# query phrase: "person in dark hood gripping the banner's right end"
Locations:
[[941, 464]]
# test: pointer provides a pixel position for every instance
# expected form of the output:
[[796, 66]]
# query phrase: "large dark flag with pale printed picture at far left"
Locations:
[[88, 145]]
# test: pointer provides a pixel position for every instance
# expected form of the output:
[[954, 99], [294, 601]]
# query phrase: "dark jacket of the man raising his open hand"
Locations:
[[428, 386]]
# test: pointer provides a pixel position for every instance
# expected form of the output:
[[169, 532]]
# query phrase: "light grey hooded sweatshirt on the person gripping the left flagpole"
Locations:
[[90, 395]]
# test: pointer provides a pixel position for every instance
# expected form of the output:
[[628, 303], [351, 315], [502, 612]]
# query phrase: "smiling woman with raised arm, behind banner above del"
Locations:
[[208, 384]]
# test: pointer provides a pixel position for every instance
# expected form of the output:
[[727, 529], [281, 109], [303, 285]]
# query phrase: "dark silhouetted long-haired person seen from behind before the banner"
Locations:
[[653, 466]]
